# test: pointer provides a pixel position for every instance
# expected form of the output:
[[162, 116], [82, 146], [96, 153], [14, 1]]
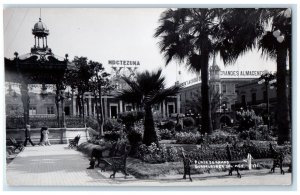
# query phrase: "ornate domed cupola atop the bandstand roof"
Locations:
[[40, 32]]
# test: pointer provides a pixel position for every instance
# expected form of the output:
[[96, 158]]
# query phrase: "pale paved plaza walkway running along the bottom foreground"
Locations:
[[57, 165]]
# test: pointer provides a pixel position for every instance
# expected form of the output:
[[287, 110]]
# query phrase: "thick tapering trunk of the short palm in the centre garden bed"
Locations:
[[149, 129]]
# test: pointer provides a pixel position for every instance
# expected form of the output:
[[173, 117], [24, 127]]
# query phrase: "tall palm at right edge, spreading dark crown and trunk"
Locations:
[[248, 31]]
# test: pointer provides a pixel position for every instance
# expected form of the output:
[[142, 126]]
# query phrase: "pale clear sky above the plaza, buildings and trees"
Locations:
[[103, 34]]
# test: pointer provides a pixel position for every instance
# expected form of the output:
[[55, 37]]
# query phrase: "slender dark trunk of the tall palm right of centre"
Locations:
[[205, 112]]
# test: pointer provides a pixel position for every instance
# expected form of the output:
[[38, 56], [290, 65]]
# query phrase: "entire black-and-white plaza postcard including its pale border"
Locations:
[[148, 96]]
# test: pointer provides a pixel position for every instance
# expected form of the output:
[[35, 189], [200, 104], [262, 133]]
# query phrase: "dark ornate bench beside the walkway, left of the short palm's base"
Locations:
[[116, 158]]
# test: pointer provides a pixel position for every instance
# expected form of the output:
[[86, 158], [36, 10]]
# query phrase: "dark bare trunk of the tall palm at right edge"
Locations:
[[282, 99]]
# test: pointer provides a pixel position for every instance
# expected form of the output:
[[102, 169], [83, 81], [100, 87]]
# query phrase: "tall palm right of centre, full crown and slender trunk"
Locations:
[[191, 35]]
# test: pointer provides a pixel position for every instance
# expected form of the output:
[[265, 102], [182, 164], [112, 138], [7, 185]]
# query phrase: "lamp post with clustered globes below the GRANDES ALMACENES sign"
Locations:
[[267, 79]]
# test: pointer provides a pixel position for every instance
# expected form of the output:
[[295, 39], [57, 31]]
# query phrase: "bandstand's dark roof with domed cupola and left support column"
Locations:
[[40, 66]]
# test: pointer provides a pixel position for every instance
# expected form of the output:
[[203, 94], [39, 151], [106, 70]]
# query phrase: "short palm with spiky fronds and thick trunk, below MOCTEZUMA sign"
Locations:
[[148, 90]]
